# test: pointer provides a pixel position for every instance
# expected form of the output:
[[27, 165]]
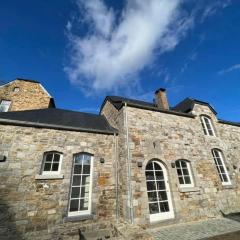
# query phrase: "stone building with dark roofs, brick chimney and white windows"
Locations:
[[134, 166]]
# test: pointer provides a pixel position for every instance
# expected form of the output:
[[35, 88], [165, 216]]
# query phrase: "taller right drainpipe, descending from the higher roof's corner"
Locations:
[[130, 201]]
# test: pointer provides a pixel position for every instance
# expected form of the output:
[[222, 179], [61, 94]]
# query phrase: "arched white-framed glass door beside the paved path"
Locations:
[[158, 190]]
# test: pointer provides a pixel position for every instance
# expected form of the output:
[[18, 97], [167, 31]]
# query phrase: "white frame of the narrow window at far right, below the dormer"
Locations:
[[220, 173]]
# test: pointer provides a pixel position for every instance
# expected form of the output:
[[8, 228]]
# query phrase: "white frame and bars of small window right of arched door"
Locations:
[[191, 184]]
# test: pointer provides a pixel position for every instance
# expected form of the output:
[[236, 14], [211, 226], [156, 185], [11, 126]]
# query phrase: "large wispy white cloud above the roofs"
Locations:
[[113, 53]]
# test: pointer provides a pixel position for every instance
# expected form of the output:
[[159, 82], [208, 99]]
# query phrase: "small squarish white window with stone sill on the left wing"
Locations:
[[52, 163]]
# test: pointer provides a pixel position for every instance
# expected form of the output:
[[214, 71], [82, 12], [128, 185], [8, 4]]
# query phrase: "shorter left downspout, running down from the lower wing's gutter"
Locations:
[[116, 176]]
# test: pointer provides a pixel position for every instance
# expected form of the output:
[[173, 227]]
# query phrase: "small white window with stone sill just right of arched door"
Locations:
[[184, 173]]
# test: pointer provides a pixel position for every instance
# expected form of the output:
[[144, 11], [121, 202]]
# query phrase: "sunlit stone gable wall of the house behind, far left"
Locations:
[[29, 96]]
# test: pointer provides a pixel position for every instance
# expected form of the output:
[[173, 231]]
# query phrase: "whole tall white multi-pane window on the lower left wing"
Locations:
[[81, 185]]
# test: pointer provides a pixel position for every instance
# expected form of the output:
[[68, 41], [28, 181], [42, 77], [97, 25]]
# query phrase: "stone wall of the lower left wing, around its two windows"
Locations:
[[35, 208]]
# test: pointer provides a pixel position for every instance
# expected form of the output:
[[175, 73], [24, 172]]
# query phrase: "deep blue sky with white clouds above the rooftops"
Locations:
[[82, 51]]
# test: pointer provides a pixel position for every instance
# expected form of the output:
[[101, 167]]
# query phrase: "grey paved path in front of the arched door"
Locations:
[[198, 230]]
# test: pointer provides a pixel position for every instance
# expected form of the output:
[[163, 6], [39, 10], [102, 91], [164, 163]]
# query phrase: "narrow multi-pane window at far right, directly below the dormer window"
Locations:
[[222, 170]]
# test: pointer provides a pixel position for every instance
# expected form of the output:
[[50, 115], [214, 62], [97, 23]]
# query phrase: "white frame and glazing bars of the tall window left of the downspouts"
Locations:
[[81, 212]]
